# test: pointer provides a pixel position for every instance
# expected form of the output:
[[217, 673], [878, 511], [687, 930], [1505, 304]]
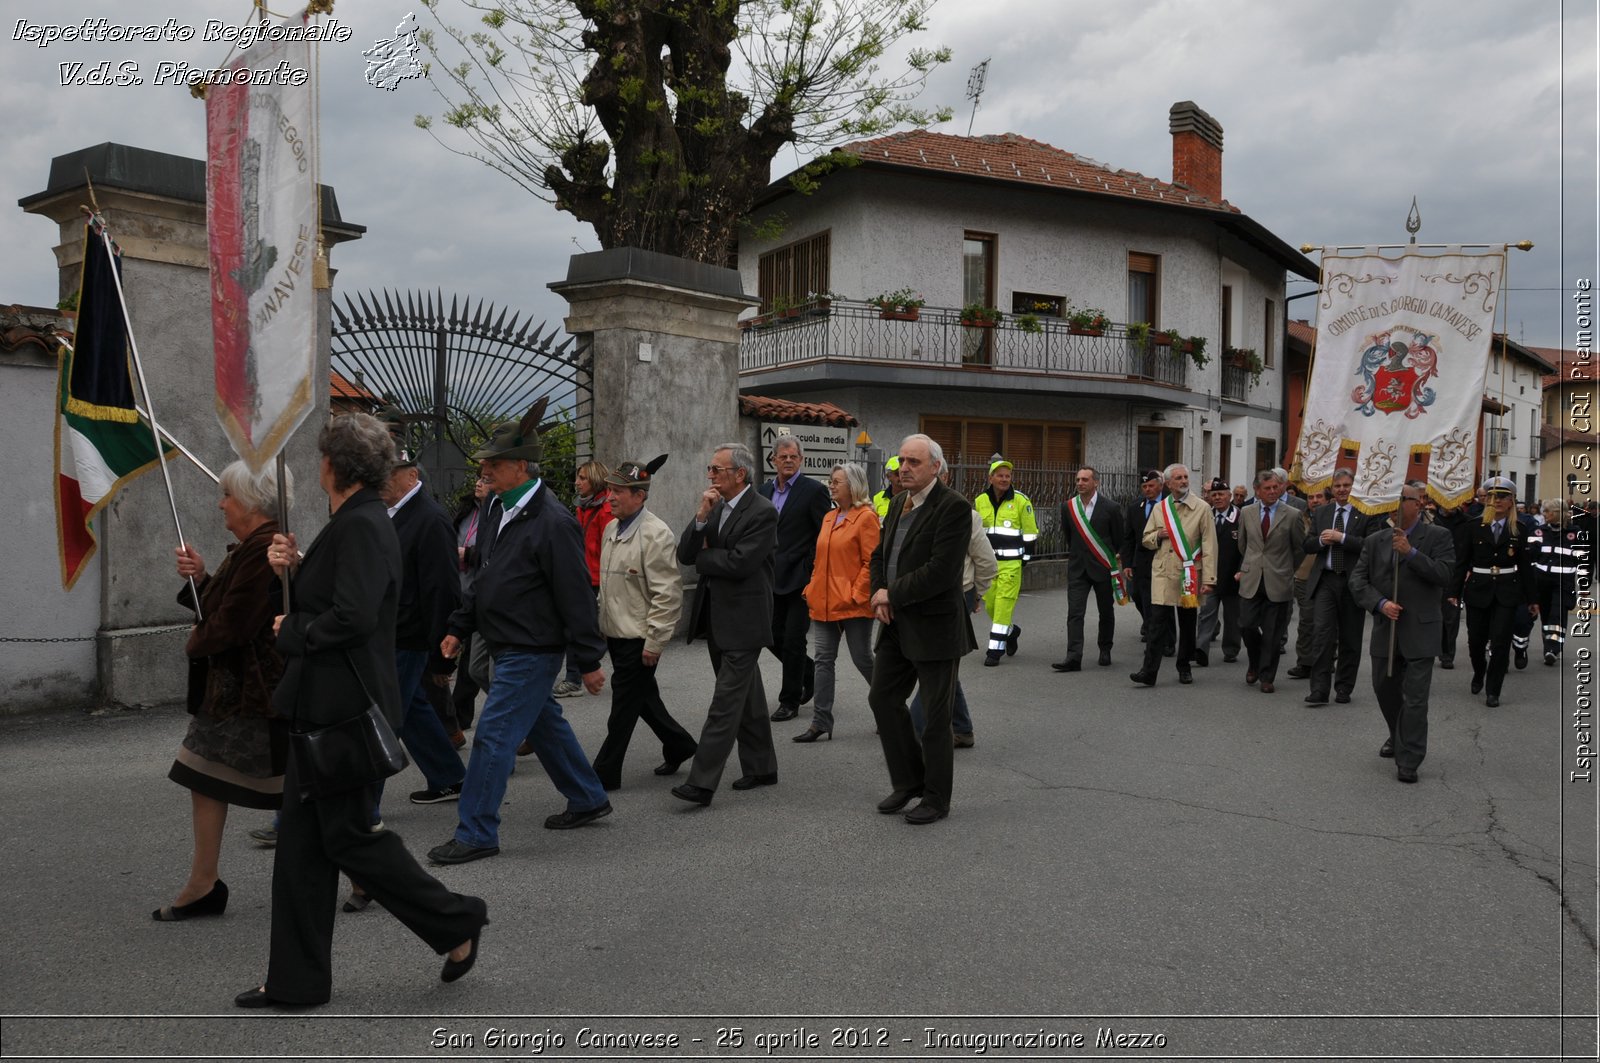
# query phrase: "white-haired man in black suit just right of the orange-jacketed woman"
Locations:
[[918, 598]]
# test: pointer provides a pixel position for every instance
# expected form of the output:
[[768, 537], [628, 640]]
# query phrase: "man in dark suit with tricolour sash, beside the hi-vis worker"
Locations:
[[1090, 563]]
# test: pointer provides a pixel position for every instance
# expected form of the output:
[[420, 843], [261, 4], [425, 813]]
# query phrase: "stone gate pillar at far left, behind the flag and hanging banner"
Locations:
[[154, 206]]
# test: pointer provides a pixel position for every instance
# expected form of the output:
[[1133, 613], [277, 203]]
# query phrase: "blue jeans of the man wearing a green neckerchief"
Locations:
[[521, 705]]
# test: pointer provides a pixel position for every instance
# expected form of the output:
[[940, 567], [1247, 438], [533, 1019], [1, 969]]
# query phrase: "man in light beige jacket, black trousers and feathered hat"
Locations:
[[641, 600]]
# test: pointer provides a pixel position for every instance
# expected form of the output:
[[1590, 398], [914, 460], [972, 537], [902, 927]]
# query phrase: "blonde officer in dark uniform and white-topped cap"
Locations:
[[1494, 577]]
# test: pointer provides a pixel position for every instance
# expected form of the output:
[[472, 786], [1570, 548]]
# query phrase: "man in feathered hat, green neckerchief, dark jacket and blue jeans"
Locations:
[[530, 604]]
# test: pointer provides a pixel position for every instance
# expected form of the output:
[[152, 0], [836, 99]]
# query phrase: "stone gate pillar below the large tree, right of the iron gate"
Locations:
[[666, 364]]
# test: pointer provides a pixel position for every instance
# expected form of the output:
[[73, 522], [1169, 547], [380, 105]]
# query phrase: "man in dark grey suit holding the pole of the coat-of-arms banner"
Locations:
[[1420, 560]]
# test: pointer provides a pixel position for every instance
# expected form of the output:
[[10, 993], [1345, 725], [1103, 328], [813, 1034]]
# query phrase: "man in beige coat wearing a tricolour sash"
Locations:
[[1183, 536]]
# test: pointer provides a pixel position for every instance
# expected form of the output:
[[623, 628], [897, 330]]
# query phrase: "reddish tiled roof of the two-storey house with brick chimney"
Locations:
[[1012, 158]]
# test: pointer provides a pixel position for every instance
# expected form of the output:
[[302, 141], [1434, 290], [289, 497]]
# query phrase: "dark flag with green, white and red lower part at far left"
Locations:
[[102, 441]]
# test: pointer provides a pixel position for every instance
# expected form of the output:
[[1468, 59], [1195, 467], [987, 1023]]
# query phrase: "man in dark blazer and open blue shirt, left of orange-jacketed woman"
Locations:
[[801, 503]]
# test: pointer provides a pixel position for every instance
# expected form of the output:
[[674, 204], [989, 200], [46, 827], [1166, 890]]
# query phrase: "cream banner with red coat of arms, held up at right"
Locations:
[[1402, 353]]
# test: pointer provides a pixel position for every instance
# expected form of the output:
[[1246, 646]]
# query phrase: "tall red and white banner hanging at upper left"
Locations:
[[262, 222]]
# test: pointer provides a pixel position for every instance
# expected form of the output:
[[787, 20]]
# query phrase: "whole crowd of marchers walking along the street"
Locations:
[[402, 606]]
